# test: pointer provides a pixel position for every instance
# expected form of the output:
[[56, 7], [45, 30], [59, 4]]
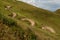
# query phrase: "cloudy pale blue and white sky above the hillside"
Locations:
[[51, 5]]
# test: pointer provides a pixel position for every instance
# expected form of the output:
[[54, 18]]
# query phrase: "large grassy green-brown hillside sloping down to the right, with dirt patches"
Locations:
[[21, 21]]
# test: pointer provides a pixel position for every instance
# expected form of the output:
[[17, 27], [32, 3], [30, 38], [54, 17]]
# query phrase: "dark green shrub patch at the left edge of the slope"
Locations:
[[7, 21]]
